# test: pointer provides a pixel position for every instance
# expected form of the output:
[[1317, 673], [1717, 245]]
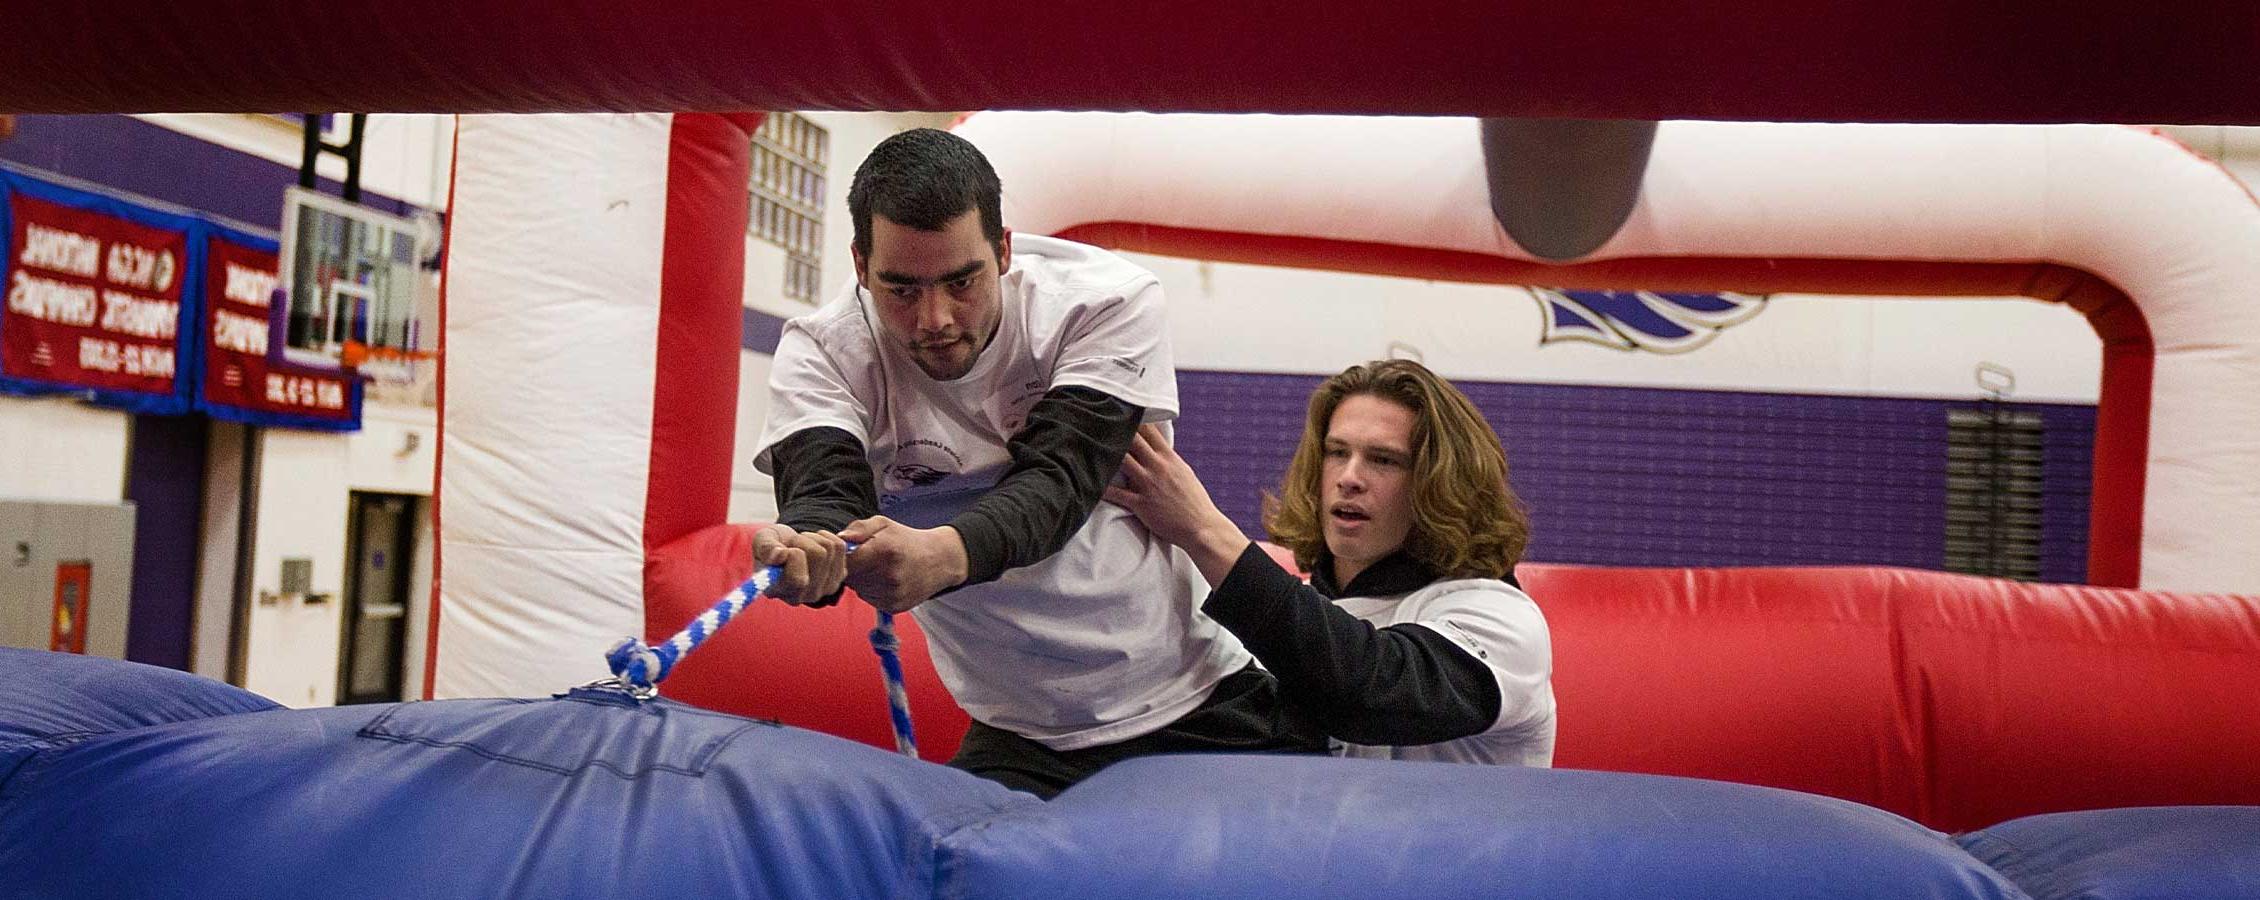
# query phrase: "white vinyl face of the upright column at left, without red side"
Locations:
[[553, 295]]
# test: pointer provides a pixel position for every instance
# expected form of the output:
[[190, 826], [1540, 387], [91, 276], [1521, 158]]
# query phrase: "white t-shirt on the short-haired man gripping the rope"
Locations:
[[1106, 639]]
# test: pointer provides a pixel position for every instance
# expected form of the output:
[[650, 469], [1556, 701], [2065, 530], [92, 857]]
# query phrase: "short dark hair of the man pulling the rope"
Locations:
[[923, 180]]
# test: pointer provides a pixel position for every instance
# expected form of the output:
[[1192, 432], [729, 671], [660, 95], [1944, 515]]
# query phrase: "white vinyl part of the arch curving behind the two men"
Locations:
[[2164, 225]]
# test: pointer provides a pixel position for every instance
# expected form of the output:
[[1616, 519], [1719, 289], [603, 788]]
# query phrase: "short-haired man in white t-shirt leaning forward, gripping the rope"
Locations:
[[957, 415]]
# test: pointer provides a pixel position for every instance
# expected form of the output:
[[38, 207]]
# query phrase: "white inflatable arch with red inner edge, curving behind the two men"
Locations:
[[2150, 241]]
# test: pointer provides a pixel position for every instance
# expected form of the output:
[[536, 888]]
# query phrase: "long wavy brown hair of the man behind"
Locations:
[[1466, 517]]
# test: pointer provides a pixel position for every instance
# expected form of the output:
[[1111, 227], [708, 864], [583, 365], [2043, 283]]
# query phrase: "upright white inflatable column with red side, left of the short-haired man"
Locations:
[[591, 322]]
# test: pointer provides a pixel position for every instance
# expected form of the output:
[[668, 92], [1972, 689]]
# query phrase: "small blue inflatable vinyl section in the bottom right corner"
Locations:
[[2139, 854]]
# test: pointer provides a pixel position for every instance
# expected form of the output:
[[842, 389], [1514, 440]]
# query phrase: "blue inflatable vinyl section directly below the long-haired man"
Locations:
[[1362, 829]]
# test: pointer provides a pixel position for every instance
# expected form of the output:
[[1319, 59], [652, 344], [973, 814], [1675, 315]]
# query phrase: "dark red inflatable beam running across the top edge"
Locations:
[[1755, 60]]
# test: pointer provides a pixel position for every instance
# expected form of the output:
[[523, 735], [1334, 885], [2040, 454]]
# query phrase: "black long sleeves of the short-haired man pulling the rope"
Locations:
[[1063, 460]]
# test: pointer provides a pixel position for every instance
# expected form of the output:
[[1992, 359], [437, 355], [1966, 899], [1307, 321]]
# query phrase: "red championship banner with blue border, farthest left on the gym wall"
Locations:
[[96, 297]]
